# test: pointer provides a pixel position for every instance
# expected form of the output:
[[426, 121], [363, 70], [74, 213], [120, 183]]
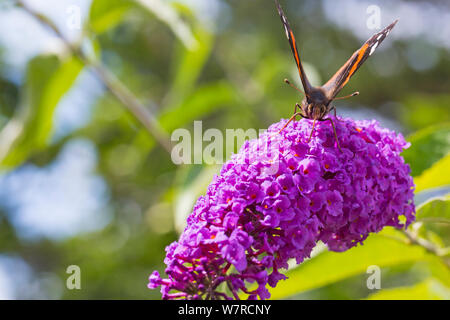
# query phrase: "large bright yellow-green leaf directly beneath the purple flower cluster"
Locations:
[[329, 267]]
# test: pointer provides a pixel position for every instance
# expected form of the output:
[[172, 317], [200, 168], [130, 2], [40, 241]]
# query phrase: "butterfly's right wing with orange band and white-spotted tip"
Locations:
[[343, 75]]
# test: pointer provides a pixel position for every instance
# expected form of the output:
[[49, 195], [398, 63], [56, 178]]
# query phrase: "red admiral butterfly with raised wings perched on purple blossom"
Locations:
[[317, 102]]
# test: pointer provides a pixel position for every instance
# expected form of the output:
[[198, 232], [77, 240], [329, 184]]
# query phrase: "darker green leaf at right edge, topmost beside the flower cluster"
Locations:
[[427, 147]]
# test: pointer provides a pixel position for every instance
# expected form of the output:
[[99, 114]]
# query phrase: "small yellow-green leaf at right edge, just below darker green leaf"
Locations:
[[436, 176]]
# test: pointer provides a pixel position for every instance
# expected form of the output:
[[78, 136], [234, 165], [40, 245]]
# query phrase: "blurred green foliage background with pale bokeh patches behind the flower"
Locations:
[[83, 182]]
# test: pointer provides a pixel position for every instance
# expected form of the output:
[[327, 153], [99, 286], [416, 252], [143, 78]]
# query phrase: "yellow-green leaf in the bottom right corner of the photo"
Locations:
[[430, 289]]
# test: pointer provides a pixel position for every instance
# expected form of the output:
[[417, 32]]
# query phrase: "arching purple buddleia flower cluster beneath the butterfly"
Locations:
[[280, 195]]
